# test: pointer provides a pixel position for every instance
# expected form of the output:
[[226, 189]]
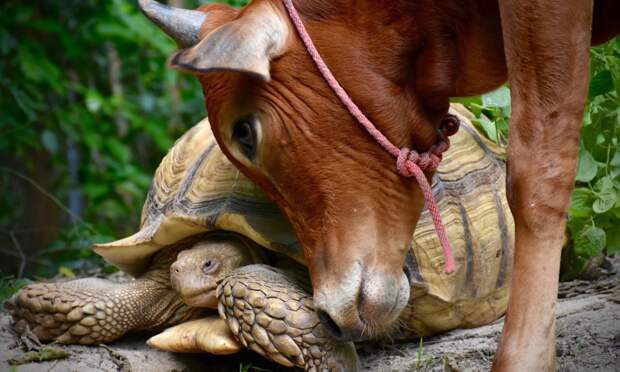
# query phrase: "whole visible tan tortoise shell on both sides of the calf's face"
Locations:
[[196, 189]]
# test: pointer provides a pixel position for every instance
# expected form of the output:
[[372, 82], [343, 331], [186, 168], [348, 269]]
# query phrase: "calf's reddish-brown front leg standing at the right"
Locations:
[[546, 45]]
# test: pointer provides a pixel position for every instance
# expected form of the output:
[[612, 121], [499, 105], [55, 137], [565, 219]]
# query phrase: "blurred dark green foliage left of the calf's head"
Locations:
[[88, 108]]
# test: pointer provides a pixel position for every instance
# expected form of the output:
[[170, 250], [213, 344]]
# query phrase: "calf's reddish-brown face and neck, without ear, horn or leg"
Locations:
[[353, 214]]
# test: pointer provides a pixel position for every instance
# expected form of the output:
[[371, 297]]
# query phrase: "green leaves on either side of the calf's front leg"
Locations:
[[594, 215]]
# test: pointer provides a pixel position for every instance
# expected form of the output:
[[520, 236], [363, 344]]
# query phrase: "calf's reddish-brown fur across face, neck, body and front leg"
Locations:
[[401, 61]]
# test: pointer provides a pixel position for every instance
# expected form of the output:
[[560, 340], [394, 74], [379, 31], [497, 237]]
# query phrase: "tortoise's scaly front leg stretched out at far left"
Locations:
[[91, 311]]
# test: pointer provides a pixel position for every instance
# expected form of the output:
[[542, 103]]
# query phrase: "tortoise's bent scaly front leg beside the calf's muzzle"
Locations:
[[272, 314]]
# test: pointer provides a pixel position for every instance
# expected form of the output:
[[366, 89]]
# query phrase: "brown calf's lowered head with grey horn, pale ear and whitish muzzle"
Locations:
[[280, 124]]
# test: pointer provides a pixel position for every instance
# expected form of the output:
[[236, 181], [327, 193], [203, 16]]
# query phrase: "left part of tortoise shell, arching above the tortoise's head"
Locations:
[[197, 189]]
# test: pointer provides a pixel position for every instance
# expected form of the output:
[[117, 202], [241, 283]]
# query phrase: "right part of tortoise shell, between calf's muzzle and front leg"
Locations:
[[470, 187]]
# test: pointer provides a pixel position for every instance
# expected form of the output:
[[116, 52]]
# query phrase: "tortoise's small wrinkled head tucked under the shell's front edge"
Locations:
[[198, 270]]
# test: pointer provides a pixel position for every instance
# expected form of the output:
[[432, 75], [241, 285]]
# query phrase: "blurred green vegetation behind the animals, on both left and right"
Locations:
[[88, 108]]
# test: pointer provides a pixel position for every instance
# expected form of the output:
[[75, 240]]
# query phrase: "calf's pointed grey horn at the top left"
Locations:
[[180, 24]]
